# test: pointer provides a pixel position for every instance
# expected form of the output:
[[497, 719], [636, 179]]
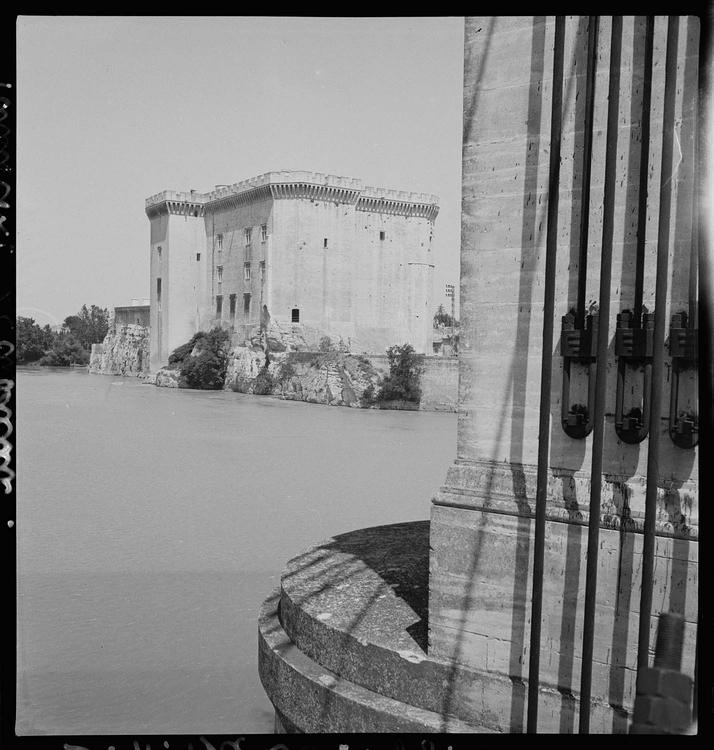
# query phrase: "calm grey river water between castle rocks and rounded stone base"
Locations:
[[152, 523]]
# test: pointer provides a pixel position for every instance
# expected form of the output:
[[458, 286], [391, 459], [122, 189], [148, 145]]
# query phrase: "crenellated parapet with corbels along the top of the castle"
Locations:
[[297, 184]]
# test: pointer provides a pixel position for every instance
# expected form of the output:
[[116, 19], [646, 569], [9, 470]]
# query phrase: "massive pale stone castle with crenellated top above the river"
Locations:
[[298, 248]]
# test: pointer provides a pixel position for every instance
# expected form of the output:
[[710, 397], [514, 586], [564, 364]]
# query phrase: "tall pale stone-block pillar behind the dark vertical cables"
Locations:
[[482, 518]]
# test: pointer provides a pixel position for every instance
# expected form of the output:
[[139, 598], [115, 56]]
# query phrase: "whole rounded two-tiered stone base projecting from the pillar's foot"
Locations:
[[343, 648]]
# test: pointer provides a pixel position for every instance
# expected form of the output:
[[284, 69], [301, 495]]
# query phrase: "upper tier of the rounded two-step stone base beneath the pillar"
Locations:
[[357, 606]]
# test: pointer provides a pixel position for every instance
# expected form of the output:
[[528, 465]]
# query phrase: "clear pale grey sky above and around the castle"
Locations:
[[114, 109]]
